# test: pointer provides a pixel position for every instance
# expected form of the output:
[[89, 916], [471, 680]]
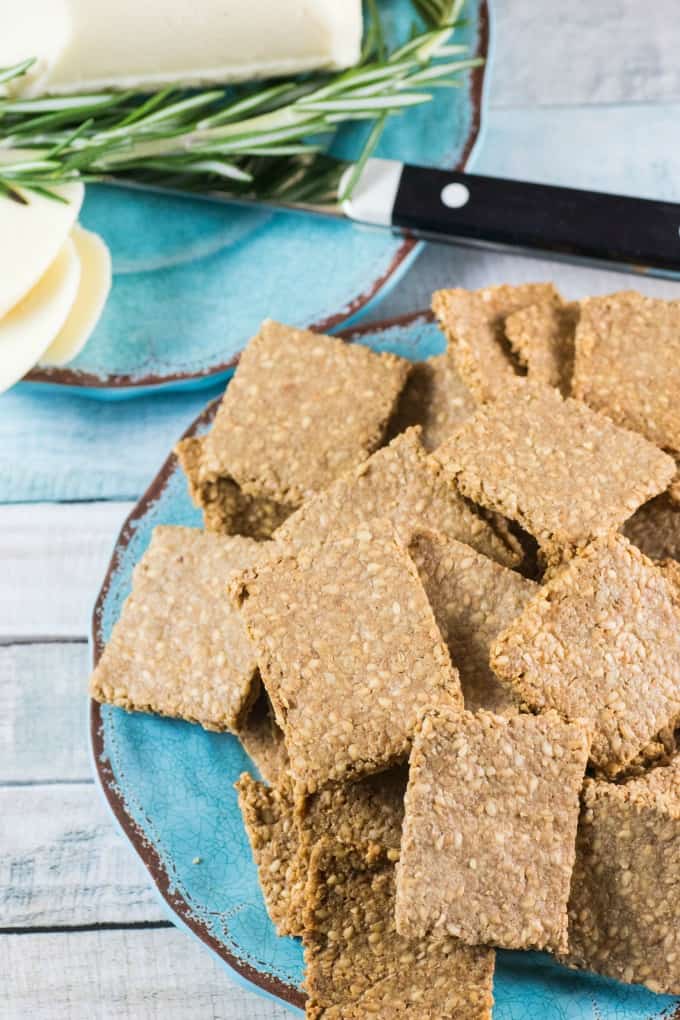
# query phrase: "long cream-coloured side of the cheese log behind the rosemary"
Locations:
[[131, 44]]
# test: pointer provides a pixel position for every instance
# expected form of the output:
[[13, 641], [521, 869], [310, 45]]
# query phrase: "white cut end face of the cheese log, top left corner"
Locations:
[[33, 29]]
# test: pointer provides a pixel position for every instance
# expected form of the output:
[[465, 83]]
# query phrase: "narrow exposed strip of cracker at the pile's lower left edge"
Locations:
[[272, 830]]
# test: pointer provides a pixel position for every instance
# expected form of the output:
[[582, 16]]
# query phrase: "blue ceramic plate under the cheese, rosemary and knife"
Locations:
[[177, 316]]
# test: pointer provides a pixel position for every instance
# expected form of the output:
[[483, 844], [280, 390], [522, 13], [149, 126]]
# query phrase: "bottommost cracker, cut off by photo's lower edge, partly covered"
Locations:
[[358, 967]]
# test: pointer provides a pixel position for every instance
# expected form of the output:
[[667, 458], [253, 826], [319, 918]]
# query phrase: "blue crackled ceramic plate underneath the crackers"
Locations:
[[171, 787]]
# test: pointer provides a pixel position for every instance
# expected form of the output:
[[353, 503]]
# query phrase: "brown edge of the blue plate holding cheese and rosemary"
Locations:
[[71, 378]]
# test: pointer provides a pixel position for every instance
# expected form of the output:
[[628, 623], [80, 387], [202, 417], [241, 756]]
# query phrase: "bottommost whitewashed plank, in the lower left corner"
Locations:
[[121, 976]]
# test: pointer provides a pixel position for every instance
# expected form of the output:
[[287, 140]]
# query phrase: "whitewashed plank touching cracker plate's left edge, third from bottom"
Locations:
[[44, 713]]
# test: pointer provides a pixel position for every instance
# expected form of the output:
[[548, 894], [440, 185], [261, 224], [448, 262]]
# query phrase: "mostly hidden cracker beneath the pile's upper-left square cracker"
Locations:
[[227, 509]]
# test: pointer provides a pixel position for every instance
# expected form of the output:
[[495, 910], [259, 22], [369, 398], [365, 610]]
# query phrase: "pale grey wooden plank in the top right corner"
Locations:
[[611, 52]]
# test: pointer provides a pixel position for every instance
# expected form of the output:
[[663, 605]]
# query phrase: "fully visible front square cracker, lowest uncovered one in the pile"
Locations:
[[489, 840]]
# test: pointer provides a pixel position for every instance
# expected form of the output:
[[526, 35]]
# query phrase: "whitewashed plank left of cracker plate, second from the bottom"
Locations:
[[64, 863]]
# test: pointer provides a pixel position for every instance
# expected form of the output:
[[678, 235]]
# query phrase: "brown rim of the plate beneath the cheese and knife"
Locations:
[[81, 381]]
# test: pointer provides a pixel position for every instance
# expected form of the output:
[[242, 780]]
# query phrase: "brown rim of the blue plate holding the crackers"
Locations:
[[106, 780]]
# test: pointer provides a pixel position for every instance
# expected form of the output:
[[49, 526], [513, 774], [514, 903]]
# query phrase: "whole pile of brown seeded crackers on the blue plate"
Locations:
[[440, 605]]
